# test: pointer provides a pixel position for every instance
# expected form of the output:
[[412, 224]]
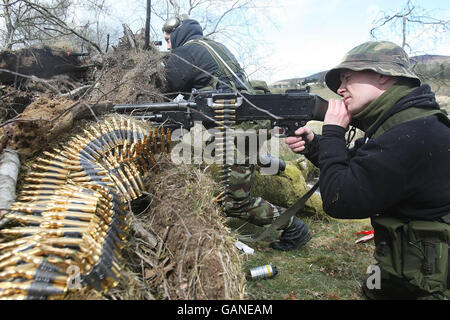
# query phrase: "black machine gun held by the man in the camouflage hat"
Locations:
[[288, 111]]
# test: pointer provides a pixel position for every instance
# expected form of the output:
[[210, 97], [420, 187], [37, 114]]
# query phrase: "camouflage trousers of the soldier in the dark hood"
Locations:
[[238, 202]]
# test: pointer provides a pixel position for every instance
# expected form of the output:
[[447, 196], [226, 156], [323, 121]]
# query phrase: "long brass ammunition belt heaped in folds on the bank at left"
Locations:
[[72, 211]]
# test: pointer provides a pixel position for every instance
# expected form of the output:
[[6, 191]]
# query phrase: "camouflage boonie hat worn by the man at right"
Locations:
[[383, 57]]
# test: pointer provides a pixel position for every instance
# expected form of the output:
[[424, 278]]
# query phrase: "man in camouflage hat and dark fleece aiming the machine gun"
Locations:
[[397, 174]]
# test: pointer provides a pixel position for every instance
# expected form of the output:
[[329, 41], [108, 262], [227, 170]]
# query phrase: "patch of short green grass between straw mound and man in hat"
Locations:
[[331, 266]]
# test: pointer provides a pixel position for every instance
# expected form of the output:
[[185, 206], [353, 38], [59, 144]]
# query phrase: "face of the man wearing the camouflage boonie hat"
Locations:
[[359, 88]]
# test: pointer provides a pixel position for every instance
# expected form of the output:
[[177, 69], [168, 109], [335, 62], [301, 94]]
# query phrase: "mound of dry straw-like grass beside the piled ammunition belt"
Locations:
[[195, 257]]
